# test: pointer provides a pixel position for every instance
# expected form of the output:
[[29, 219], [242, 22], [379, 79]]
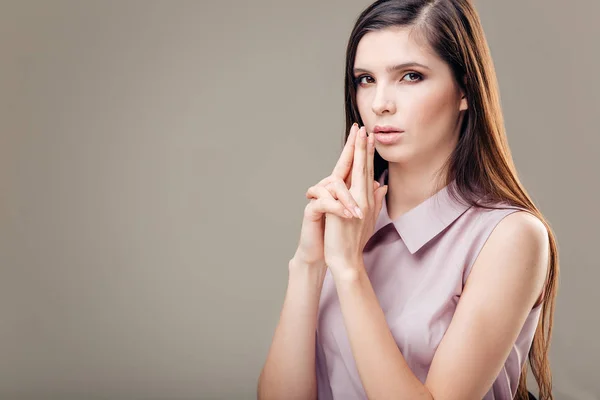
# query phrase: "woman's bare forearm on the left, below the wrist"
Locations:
[[289, 371]]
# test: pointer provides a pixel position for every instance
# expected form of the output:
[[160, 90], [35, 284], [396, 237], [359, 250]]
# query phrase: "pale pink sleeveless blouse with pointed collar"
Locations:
[[418, 265]]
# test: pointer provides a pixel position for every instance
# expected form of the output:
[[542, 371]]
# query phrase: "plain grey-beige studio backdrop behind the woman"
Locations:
[[153, 162]]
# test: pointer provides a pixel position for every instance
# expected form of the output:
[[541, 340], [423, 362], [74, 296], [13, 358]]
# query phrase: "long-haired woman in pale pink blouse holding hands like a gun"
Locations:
[[437, 287]]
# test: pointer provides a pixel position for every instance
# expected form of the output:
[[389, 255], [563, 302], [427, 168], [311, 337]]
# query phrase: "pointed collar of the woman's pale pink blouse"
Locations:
[[422, 223]]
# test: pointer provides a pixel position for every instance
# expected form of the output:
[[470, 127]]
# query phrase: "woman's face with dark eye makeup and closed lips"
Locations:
[[423, 101]]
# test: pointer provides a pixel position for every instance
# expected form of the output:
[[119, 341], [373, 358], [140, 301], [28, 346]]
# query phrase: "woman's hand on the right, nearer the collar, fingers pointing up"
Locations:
[[345, 239]]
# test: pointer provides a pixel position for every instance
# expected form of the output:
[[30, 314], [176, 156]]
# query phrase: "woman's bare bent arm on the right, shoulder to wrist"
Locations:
[[502, 288]]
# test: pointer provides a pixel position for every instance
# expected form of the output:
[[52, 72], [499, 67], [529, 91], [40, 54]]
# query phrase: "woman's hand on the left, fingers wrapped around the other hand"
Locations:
[[330, 195]]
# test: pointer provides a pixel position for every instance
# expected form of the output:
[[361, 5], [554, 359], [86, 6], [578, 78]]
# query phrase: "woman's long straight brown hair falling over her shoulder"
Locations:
[[481, 163]]
